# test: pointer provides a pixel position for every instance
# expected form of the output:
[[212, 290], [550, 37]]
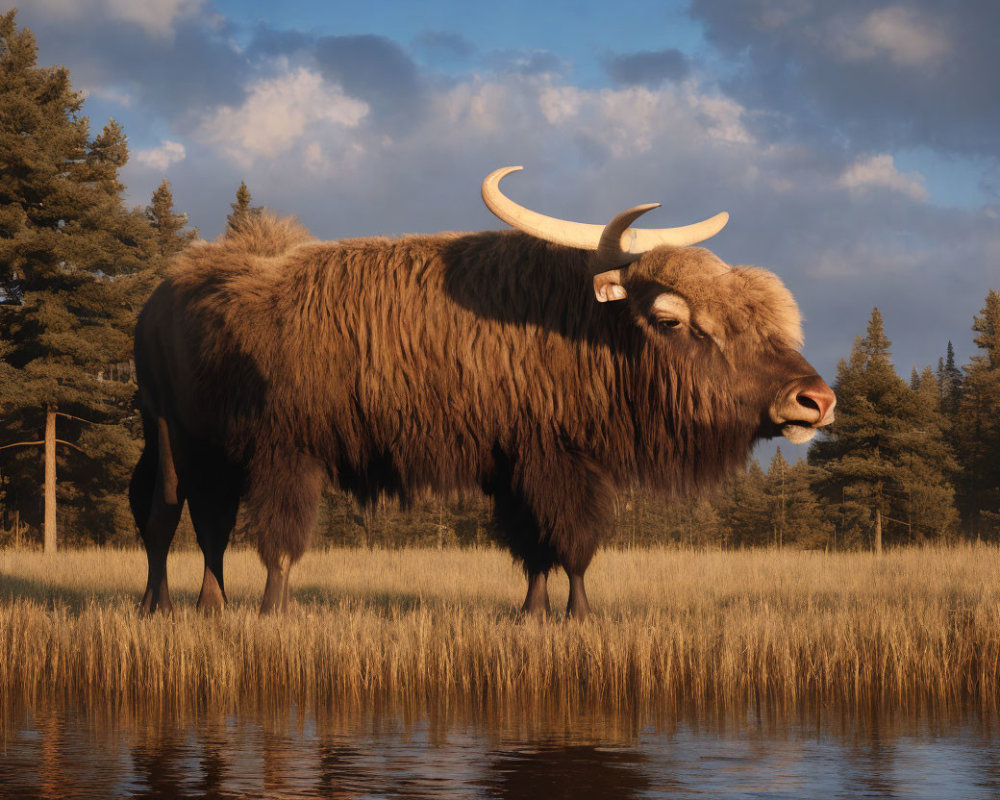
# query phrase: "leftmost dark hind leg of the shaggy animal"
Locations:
[[156, 500]]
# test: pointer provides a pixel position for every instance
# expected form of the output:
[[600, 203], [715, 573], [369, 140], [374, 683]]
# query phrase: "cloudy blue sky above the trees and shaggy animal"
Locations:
[[855, 143]]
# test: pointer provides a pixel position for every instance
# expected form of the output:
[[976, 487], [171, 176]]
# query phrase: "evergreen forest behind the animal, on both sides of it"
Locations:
[[908, 461]]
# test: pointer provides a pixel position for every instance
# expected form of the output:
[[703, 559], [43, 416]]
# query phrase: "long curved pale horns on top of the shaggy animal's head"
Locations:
[[588, 237]]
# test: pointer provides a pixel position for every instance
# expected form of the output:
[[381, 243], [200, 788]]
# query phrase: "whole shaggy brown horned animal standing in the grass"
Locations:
[[270, 364]]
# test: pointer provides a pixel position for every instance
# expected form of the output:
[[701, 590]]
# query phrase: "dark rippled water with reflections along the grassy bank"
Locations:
[[74, 754]]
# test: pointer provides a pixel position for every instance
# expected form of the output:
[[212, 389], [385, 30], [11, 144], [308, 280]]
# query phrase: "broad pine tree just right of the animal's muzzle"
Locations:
[[886, 453]]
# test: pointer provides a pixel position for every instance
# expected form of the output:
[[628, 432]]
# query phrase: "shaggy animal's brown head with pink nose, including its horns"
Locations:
[[737, 325]]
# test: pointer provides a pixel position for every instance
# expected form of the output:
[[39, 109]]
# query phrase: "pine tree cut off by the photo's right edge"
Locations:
[[977, 426]]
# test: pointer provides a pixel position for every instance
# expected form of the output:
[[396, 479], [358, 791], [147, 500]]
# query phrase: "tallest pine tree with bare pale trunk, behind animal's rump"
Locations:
[[70, 254]]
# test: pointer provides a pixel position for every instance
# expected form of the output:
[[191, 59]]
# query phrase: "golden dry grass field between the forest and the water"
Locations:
[[671, 628]]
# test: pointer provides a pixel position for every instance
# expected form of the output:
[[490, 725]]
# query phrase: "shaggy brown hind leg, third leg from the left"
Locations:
[[282, 502]]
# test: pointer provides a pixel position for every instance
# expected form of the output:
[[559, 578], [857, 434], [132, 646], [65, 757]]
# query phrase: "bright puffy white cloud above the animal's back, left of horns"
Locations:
[[293, 110]]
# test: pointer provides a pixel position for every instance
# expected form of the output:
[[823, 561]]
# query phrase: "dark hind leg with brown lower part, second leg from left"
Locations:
[[213, 498]]
